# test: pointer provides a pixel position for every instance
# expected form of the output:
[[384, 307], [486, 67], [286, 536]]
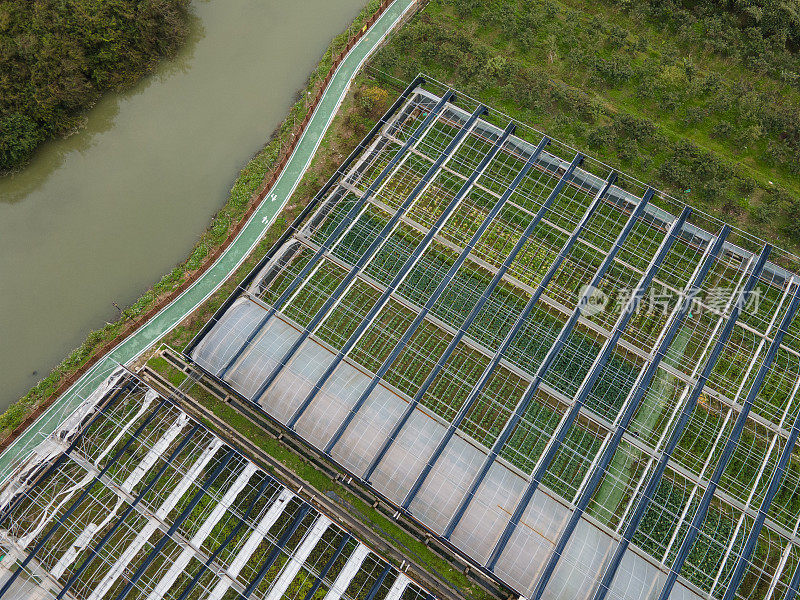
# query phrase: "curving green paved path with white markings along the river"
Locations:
[[154, 329]]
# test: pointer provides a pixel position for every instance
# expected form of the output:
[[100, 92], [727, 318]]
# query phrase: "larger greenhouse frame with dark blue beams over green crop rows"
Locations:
[[578, 384]]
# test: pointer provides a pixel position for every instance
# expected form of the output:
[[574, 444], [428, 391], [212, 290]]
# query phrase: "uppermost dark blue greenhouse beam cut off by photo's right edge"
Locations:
[[727, 454]]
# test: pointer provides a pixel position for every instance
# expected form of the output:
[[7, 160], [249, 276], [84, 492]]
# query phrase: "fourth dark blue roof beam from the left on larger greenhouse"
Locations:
[[420, 317]]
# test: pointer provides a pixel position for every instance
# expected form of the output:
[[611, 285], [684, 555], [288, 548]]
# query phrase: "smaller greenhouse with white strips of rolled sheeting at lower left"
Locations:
[[132, 498]]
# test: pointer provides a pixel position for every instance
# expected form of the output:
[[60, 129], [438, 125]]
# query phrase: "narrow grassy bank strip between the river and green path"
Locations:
[[242, 196]]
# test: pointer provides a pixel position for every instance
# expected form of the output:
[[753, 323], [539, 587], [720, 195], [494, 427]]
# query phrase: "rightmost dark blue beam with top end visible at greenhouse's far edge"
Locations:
[[654, 481]]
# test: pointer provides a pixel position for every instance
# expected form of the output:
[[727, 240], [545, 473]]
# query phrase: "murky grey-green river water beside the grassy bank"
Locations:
[[96, 218]]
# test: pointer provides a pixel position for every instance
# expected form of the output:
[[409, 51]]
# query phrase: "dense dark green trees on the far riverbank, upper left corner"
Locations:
[[58, 56]]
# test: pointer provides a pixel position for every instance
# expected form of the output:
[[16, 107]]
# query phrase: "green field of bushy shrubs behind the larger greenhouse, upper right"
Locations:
[[703, 101]]
